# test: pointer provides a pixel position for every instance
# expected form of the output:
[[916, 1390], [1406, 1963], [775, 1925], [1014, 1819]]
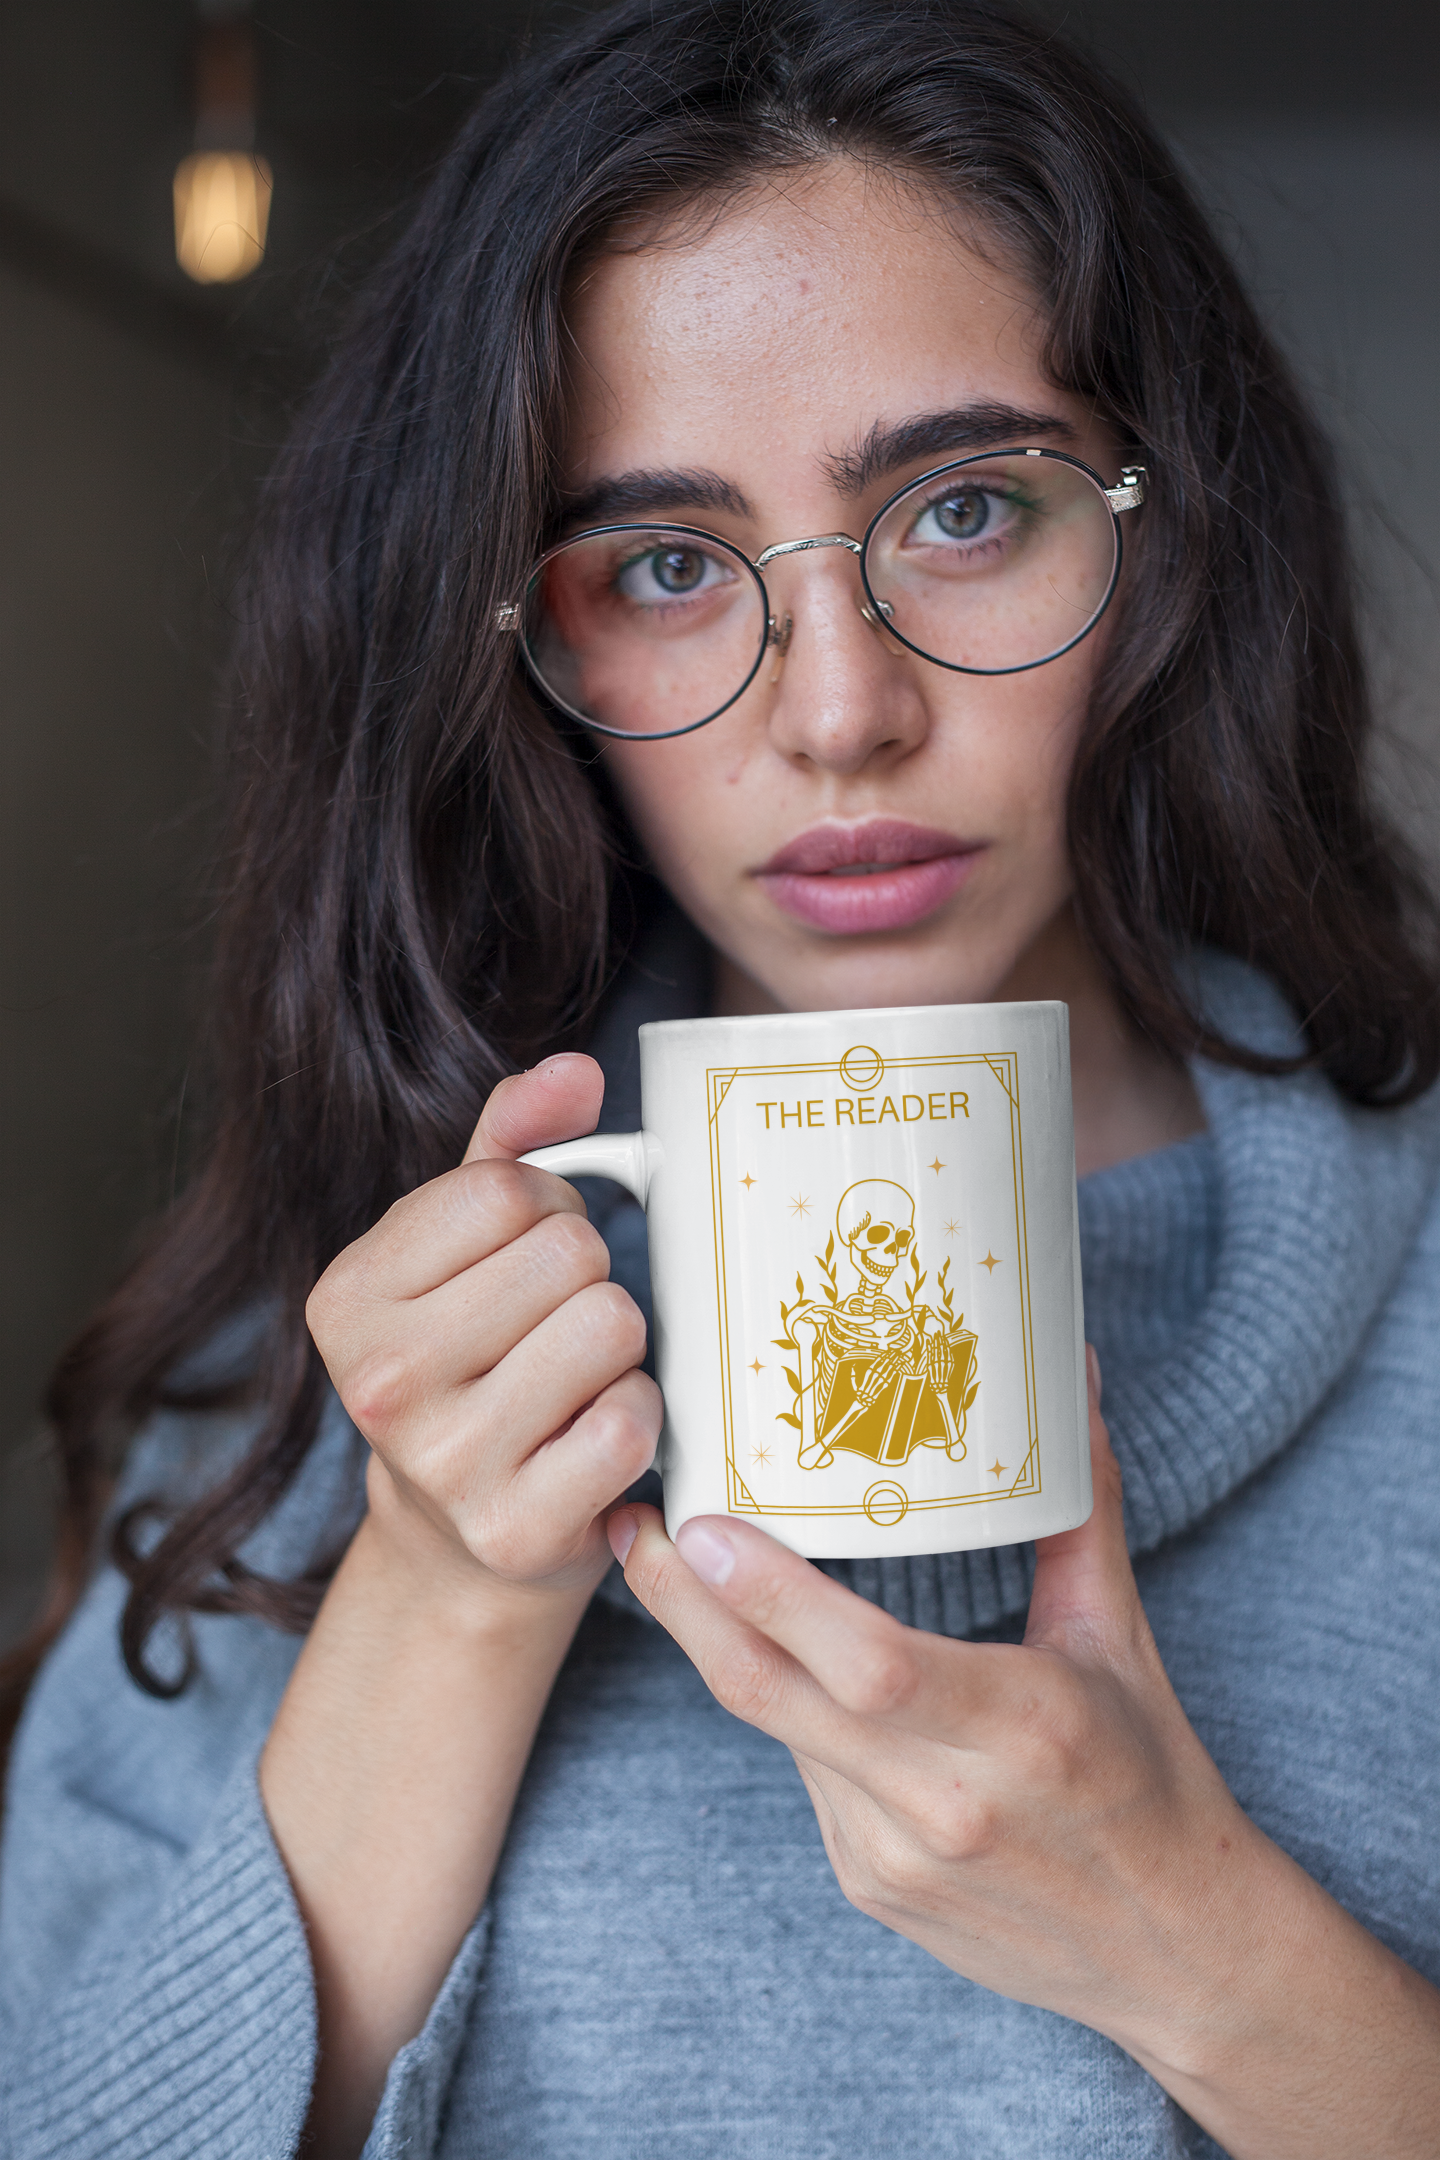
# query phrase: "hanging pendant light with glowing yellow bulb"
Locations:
[[223, 189]]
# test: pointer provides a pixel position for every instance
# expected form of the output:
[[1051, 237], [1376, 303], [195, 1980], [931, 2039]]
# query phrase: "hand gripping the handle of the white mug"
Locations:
[[491, 1364]]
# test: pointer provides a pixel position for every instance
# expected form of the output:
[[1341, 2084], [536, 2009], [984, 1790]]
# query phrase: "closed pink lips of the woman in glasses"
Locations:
[[882, 876]]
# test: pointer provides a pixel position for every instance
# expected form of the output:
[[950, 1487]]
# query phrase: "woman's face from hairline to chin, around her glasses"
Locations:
[[860, 828]]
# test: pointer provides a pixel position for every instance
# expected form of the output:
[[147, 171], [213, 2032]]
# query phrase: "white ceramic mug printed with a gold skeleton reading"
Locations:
[[865, 1260]]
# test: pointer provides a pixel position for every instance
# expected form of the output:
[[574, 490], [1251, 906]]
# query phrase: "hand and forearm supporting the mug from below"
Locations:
[[1046, 1822]]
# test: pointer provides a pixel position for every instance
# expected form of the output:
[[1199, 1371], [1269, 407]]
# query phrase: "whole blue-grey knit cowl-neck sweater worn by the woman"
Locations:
[[666, 1965]]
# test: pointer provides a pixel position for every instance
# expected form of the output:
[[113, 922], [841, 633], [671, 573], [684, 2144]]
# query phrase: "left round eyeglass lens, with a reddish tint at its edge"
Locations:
[[644, 630]]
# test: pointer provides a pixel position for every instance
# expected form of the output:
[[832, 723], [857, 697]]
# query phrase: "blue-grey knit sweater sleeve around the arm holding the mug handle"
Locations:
[[157, 1995]]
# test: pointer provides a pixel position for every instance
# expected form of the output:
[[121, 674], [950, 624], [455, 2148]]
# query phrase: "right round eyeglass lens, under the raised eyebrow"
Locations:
[[994, 565]]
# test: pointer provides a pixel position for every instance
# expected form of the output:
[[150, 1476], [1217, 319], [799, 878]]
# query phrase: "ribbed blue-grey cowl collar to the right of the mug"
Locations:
[[1314, 1211]]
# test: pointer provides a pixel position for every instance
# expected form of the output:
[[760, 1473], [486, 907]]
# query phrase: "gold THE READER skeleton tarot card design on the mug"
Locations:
[[873, 1284]]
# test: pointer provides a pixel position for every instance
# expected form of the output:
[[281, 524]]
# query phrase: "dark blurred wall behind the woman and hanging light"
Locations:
[[139, 409]]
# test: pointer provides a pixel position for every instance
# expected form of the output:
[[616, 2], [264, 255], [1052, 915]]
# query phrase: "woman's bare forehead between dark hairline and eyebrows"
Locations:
[[798, 325]]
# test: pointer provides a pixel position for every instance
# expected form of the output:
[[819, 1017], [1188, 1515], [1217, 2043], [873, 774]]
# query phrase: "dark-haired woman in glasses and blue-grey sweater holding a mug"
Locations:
[[476, 1859]]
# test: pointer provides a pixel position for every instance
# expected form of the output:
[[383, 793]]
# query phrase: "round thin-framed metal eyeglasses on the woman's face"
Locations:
[[990, 565]]
